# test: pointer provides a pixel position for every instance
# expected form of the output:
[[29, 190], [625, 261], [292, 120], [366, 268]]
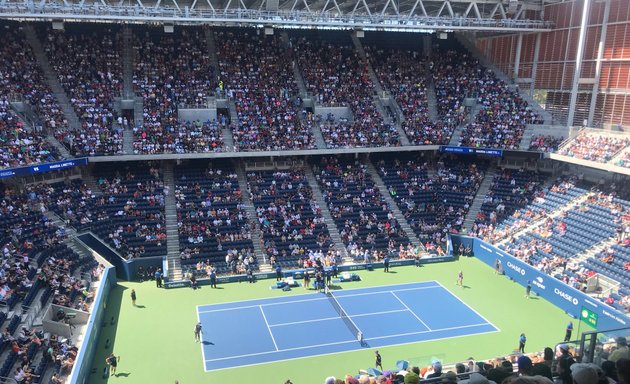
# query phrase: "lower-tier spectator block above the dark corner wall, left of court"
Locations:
[[127, 210]]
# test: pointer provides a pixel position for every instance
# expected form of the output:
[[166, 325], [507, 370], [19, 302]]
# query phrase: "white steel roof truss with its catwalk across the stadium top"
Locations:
[[386, 15]]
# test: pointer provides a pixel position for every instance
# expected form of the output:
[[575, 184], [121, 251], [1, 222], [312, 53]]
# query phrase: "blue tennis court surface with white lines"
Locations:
[[252, 332]]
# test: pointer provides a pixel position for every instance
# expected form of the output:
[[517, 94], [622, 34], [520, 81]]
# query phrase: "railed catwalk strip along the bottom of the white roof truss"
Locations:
[[285, 18]]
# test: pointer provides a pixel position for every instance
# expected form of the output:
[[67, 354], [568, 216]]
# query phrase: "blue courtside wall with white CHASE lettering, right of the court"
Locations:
[[549, 288]]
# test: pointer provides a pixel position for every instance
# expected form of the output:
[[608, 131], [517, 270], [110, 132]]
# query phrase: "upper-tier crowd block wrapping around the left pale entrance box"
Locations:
[[174, 71]]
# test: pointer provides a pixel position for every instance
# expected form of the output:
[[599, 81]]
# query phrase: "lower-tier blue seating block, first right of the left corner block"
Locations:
[[213, 227]]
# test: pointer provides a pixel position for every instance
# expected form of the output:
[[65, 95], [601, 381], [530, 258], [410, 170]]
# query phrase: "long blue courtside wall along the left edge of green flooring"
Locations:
[[83, 364]]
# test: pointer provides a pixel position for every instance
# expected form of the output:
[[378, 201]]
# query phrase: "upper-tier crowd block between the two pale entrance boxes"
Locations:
[[255, 70]]
